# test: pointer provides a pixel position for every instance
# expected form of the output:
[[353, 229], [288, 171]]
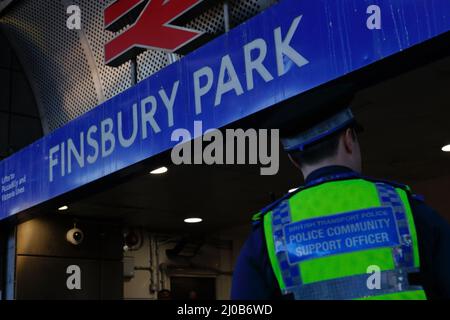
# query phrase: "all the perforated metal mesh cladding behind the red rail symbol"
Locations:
[[65, 65]]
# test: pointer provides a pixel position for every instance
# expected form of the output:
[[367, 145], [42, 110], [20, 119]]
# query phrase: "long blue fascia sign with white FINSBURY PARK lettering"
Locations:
[[284, 52]]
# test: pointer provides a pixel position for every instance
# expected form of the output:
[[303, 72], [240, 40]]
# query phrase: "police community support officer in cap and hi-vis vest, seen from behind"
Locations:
[[326, 240]]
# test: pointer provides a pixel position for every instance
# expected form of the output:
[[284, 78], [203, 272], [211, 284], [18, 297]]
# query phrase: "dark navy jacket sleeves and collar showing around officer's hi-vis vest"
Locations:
[[253, 278]]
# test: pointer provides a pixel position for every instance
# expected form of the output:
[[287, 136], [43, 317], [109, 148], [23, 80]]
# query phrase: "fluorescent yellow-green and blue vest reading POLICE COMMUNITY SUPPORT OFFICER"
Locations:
[[344, 239]]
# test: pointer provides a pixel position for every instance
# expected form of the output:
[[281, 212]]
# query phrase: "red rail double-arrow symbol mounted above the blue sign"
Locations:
[[152, 29]]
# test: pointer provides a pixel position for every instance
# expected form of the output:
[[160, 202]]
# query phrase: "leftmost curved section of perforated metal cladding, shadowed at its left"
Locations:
[[54, 59]]
